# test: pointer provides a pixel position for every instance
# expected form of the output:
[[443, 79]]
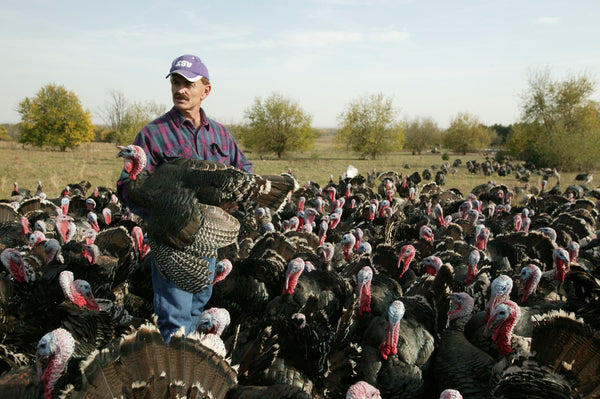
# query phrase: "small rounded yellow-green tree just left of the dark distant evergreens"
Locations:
[[466, 133]]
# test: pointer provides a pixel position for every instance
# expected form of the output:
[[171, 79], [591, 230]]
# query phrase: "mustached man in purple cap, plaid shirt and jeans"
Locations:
[[183, 132]]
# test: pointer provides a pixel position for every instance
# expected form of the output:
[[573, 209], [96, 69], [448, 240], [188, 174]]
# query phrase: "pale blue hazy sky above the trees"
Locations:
[[434, 59]]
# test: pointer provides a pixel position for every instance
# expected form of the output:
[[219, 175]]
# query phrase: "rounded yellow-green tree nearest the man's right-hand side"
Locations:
[[277, 125]]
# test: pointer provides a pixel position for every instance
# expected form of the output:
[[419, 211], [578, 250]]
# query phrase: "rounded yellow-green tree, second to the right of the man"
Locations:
[[369, 126]]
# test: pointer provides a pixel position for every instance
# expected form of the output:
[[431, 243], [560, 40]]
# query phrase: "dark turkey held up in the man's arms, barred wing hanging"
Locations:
[[185, 201]]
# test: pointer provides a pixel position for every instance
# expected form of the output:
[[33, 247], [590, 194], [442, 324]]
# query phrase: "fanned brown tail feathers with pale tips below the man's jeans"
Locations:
[[143, 366]]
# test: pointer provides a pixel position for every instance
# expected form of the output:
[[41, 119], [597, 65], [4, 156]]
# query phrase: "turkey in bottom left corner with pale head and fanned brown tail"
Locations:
[[140, 364]]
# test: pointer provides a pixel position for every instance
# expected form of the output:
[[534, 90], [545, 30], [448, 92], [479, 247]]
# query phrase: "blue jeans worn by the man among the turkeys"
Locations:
[[176, 308]]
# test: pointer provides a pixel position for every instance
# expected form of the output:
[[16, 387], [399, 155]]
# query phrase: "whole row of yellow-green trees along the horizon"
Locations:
[[559, 124]]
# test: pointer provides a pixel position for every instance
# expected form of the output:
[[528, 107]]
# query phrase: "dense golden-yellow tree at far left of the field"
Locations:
[[54, 117]]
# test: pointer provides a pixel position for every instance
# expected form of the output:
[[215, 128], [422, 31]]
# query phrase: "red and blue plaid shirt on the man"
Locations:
[[172, 136]]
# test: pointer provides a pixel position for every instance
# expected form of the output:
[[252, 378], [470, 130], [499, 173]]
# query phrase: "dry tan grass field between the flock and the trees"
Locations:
[[97, 163]]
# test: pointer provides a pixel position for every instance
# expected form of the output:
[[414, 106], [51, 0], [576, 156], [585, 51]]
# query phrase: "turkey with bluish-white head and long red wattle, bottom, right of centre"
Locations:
[[397, 348]]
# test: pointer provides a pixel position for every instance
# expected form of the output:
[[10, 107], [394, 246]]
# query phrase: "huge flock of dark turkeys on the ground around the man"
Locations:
[[377, 286]]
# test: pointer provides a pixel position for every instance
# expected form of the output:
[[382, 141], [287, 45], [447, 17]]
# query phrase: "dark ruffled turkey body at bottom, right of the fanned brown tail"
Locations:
[[302, 351]]
